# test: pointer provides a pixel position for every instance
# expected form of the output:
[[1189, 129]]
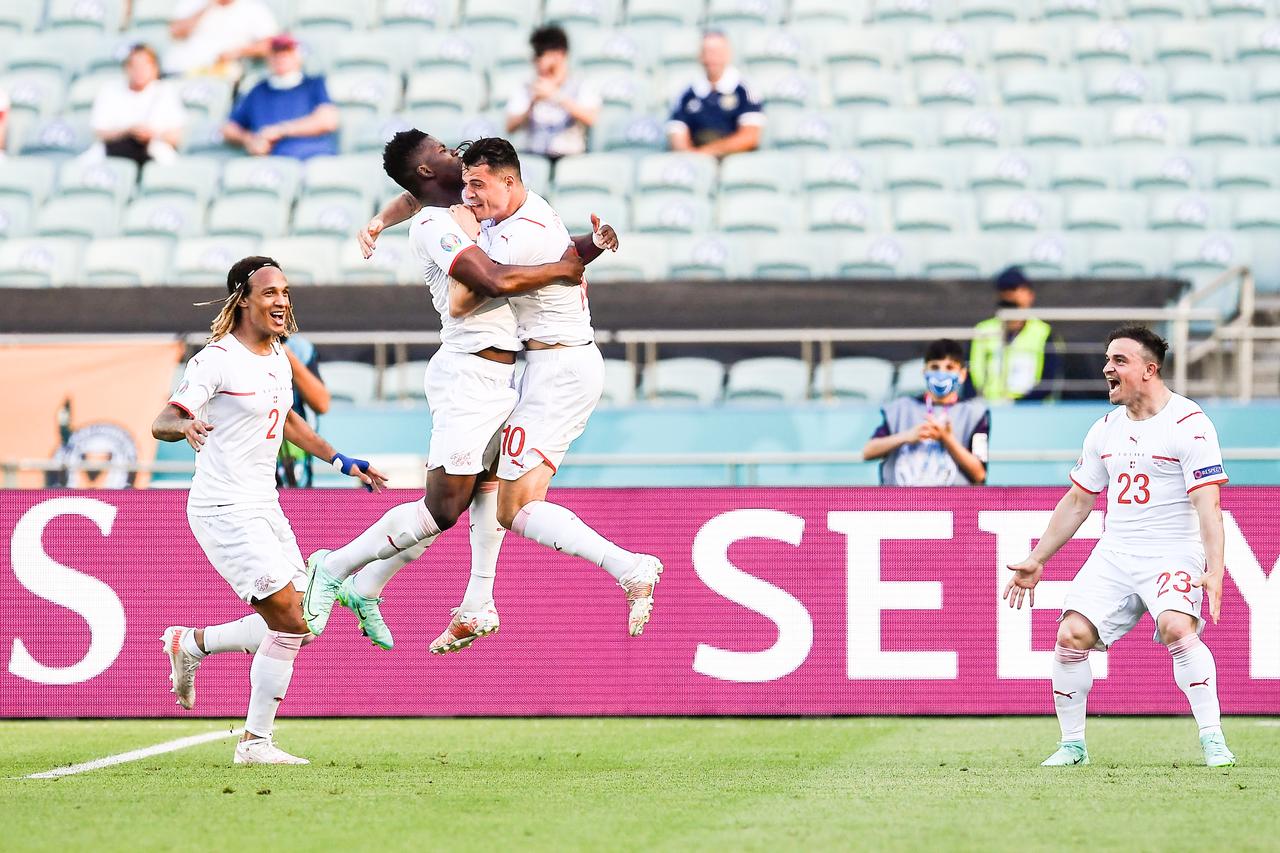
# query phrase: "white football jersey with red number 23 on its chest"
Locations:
[[1149, 469]]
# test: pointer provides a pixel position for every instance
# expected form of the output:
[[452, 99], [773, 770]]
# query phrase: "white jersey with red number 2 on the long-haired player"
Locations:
[[246, 398]]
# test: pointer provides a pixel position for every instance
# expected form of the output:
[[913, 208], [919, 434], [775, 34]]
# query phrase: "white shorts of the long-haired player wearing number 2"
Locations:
[[253, 549]]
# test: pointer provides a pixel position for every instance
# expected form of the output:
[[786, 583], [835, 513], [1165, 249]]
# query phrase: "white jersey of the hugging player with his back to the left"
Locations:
[[438, 241]]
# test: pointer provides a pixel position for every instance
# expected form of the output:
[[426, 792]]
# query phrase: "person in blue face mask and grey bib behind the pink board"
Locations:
[[936, 440]]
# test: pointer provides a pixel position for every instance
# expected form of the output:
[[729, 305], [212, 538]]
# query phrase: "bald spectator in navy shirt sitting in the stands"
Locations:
[[716, 116]]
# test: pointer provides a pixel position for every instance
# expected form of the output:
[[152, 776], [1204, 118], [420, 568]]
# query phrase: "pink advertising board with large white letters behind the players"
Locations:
[[775, 603]]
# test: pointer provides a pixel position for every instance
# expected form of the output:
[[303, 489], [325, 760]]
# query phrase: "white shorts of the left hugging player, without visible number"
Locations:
[[470, 399]]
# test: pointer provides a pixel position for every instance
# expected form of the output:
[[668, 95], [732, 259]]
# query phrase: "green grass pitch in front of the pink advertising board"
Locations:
[[632, 784]]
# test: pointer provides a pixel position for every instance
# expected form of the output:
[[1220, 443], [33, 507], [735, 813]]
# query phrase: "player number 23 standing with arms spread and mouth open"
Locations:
[[1159, 459]]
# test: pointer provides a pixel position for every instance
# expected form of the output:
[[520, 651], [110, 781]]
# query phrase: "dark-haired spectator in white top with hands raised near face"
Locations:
[[554, 110]]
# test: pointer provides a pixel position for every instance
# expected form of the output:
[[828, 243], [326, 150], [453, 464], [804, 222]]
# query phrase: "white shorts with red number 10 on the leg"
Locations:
[[557, 396]]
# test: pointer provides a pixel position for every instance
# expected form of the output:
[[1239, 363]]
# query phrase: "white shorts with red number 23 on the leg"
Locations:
[[1114, 590]]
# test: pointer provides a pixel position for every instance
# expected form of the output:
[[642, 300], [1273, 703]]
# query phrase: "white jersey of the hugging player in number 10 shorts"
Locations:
[[536, 235]]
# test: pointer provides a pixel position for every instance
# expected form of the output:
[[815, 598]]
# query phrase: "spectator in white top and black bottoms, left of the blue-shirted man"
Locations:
[[139, 117]]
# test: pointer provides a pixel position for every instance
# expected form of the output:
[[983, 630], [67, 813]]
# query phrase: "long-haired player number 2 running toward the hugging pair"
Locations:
[[235, 407]]
